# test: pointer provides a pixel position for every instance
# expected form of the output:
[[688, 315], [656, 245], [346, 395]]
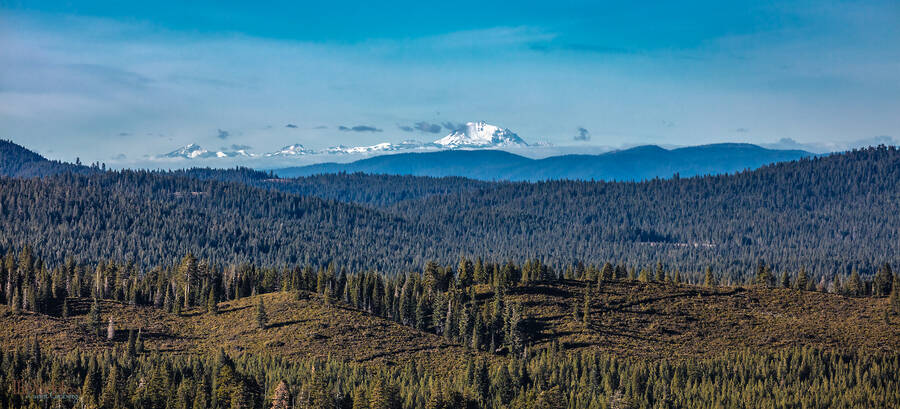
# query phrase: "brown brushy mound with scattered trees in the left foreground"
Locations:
[[296, 329]]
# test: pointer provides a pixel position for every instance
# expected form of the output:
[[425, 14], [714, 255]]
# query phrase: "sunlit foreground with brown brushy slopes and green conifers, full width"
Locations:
[[473, 335]]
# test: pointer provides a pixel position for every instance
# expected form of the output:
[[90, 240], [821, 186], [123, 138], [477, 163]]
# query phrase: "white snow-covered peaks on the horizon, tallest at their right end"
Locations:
[[472, 135]]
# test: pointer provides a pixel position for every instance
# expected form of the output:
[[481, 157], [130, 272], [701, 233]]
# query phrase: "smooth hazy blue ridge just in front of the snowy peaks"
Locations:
[[639, 163]]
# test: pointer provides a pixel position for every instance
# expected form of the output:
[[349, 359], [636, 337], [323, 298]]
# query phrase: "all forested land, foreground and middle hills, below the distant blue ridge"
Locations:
[[209, 288]]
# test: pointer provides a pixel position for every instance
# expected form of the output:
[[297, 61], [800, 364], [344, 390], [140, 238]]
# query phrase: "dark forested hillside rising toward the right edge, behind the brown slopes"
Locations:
[[830, 215]]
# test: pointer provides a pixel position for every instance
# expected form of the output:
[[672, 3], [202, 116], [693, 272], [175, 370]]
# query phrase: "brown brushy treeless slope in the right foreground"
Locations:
[[653, 320]]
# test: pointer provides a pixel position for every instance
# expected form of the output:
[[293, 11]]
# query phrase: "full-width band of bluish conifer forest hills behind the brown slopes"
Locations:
[[829, 215]]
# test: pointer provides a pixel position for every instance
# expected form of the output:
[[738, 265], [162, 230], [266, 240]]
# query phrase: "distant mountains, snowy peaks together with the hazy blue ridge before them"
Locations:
[[476, 150]]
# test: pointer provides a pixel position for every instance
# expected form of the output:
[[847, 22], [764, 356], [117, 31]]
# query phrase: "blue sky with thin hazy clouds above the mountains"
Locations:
[[110, 79]]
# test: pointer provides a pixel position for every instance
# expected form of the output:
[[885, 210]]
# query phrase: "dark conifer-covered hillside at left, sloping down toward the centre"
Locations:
[[149, 217]]
